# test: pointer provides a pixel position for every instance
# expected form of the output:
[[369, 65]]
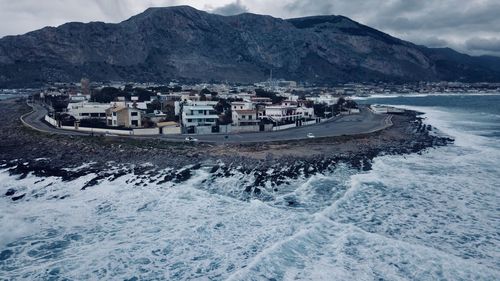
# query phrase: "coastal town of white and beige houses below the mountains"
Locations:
[[174, 109]]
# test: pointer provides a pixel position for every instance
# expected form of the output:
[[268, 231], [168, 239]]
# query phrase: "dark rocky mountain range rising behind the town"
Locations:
[[181, 42]]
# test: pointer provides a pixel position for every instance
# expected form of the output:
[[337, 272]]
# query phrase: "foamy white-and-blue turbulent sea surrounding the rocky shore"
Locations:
[[428, 216]]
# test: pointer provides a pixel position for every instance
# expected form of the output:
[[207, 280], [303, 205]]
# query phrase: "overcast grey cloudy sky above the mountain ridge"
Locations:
[[471, 26]]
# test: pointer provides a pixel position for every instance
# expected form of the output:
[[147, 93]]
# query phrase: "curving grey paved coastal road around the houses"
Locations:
[[365, 122]]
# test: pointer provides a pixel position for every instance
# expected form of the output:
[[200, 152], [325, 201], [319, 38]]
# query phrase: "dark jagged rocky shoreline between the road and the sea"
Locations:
[[265, 166]]
